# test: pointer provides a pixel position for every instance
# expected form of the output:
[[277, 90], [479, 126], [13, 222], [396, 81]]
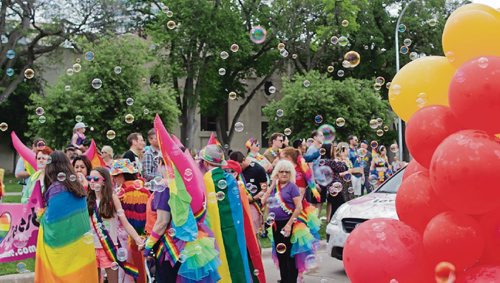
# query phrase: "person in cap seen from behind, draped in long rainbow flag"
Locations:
[[225, 216]]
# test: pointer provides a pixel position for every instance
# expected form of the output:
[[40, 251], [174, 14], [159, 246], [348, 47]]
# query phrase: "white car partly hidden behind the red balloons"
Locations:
[[380, 203]]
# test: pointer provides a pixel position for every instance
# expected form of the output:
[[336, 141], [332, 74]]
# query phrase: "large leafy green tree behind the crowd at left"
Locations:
[[105, 108]]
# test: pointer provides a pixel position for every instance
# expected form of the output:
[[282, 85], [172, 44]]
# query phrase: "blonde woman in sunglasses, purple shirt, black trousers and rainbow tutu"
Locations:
[[285, 204]]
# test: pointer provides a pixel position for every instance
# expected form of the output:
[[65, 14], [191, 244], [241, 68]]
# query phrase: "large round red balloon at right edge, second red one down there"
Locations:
[[465, 172]]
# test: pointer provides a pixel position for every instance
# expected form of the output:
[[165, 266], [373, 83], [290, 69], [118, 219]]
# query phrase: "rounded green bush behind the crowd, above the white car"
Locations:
[[352, 99]]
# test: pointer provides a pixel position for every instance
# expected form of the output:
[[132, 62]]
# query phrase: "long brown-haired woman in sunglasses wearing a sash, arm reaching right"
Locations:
[[106, 213]]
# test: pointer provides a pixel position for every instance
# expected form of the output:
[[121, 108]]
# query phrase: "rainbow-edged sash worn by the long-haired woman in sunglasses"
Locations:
[[109, 247]]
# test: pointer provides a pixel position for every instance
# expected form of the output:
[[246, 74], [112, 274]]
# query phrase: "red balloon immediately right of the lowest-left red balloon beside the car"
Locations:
[[454, 238]]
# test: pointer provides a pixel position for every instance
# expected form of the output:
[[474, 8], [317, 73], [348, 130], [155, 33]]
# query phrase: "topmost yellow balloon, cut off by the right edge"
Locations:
[[471, 31]]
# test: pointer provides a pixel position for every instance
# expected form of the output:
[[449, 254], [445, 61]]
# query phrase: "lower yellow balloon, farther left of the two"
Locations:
[[420, 83]]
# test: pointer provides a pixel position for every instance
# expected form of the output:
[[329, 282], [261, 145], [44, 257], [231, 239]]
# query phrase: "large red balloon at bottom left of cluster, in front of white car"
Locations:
[[377, 242]]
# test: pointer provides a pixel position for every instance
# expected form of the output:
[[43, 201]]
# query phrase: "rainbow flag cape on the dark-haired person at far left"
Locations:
[[65, 248]]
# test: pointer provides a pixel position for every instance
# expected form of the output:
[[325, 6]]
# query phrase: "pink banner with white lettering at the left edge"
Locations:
[[19, 228]]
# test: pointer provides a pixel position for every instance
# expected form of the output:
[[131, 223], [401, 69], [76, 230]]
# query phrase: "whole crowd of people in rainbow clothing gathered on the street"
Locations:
[[140, 223]]
